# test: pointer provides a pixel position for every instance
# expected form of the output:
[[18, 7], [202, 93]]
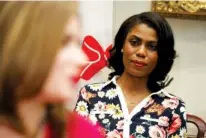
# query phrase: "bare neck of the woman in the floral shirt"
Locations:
[[133, 84]]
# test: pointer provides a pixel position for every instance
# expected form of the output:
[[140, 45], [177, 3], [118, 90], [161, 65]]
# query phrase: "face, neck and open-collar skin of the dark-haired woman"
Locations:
[[139, 58]]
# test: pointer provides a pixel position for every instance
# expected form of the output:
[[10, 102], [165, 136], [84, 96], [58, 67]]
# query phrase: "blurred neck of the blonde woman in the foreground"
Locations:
[[32, 114]]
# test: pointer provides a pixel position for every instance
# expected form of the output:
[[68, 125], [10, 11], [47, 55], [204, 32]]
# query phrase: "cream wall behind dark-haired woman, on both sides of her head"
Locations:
[[189, 71]]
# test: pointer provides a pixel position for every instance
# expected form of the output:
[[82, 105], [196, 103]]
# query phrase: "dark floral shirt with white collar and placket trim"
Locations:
[[160, 115]]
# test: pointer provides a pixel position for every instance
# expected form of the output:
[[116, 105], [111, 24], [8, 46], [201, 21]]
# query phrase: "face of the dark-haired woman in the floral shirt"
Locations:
[[140, 51]]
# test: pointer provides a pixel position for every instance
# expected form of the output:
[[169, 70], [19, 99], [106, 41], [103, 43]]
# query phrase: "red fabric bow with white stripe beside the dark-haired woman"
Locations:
[[97, 58]]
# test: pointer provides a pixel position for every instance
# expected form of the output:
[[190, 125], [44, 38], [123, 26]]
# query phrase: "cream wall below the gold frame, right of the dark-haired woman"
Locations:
[[190, 68]]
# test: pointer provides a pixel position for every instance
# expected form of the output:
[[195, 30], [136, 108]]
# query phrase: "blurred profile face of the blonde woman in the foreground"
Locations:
[[59, 86]]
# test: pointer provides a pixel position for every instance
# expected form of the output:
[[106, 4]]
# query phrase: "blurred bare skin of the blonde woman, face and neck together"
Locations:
[[58, 87]]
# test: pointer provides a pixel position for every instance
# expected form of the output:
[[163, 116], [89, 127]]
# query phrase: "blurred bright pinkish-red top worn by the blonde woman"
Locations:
[[78, 127]]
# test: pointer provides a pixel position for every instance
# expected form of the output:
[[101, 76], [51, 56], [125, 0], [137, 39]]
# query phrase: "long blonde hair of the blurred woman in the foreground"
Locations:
[[30, 35]]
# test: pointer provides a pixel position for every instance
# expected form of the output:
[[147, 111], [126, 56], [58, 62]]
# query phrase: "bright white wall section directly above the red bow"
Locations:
[[97, 20]]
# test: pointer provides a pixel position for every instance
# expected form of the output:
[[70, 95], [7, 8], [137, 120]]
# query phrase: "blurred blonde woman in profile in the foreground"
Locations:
[[38, 49]]
